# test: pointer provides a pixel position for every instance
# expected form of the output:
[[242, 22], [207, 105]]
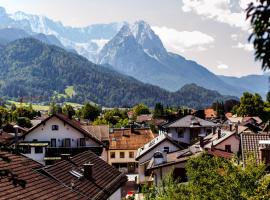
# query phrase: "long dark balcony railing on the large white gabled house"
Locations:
[[57, 151]]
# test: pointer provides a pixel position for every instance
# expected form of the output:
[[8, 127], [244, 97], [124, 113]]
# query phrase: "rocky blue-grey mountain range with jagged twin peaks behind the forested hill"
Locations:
[[134, 50]]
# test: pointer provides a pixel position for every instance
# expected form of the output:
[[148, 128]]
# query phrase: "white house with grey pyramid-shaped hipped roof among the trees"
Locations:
[[189, 128]]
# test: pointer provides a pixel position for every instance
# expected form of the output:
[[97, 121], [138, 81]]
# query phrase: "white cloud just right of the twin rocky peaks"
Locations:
[[181, 41]]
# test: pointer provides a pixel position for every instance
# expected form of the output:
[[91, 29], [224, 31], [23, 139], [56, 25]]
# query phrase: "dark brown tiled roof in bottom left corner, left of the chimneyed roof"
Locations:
[[37, 186]]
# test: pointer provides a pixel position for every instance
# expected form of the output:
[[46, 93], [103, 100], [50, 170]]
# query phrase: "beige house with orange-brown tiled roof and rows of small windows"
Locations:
[[123, 147]]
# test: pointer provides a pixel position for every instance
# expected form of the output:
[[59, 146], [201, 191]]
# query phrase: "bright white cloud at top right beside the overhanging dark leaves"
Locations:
[[219, 10]]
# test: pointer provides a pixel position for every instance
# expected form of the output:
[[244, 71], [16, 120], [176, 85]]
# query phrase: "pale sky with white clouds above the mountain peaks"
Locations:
[[212, 32]]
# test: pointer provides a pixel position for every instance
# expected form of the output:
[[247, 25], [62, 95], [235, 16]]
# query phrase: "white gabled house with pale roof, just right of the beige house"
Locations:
[[162, 143]]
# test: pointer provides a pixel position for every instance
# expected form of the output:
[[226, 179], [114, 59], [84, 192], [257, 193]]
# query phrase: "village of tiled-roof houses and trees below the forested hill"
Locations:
[[73, 157]]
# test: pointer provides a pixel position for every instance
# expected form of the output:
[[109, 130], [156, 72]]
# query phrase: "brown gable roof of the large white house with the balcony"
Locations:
[[75, 124]]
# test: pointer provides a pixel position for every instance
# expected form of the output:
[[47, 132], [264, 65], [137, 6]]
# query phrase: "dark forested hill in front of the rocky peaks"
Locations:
[[29, 67]]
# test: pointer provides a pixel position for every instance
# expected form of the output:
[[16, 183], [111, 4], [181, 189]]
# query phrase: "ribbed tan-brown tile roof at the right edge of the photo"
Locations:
[[250, 145]]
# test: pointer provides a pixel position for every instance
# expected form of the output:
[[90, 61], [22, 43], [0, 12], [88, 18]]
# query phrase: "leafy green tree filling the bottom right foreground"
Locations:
[[212, 178]]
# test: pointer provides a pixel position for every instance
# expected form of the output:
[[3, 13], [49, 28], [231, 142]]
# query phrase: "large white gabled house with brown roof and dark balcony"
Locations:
[[58, 136]]
